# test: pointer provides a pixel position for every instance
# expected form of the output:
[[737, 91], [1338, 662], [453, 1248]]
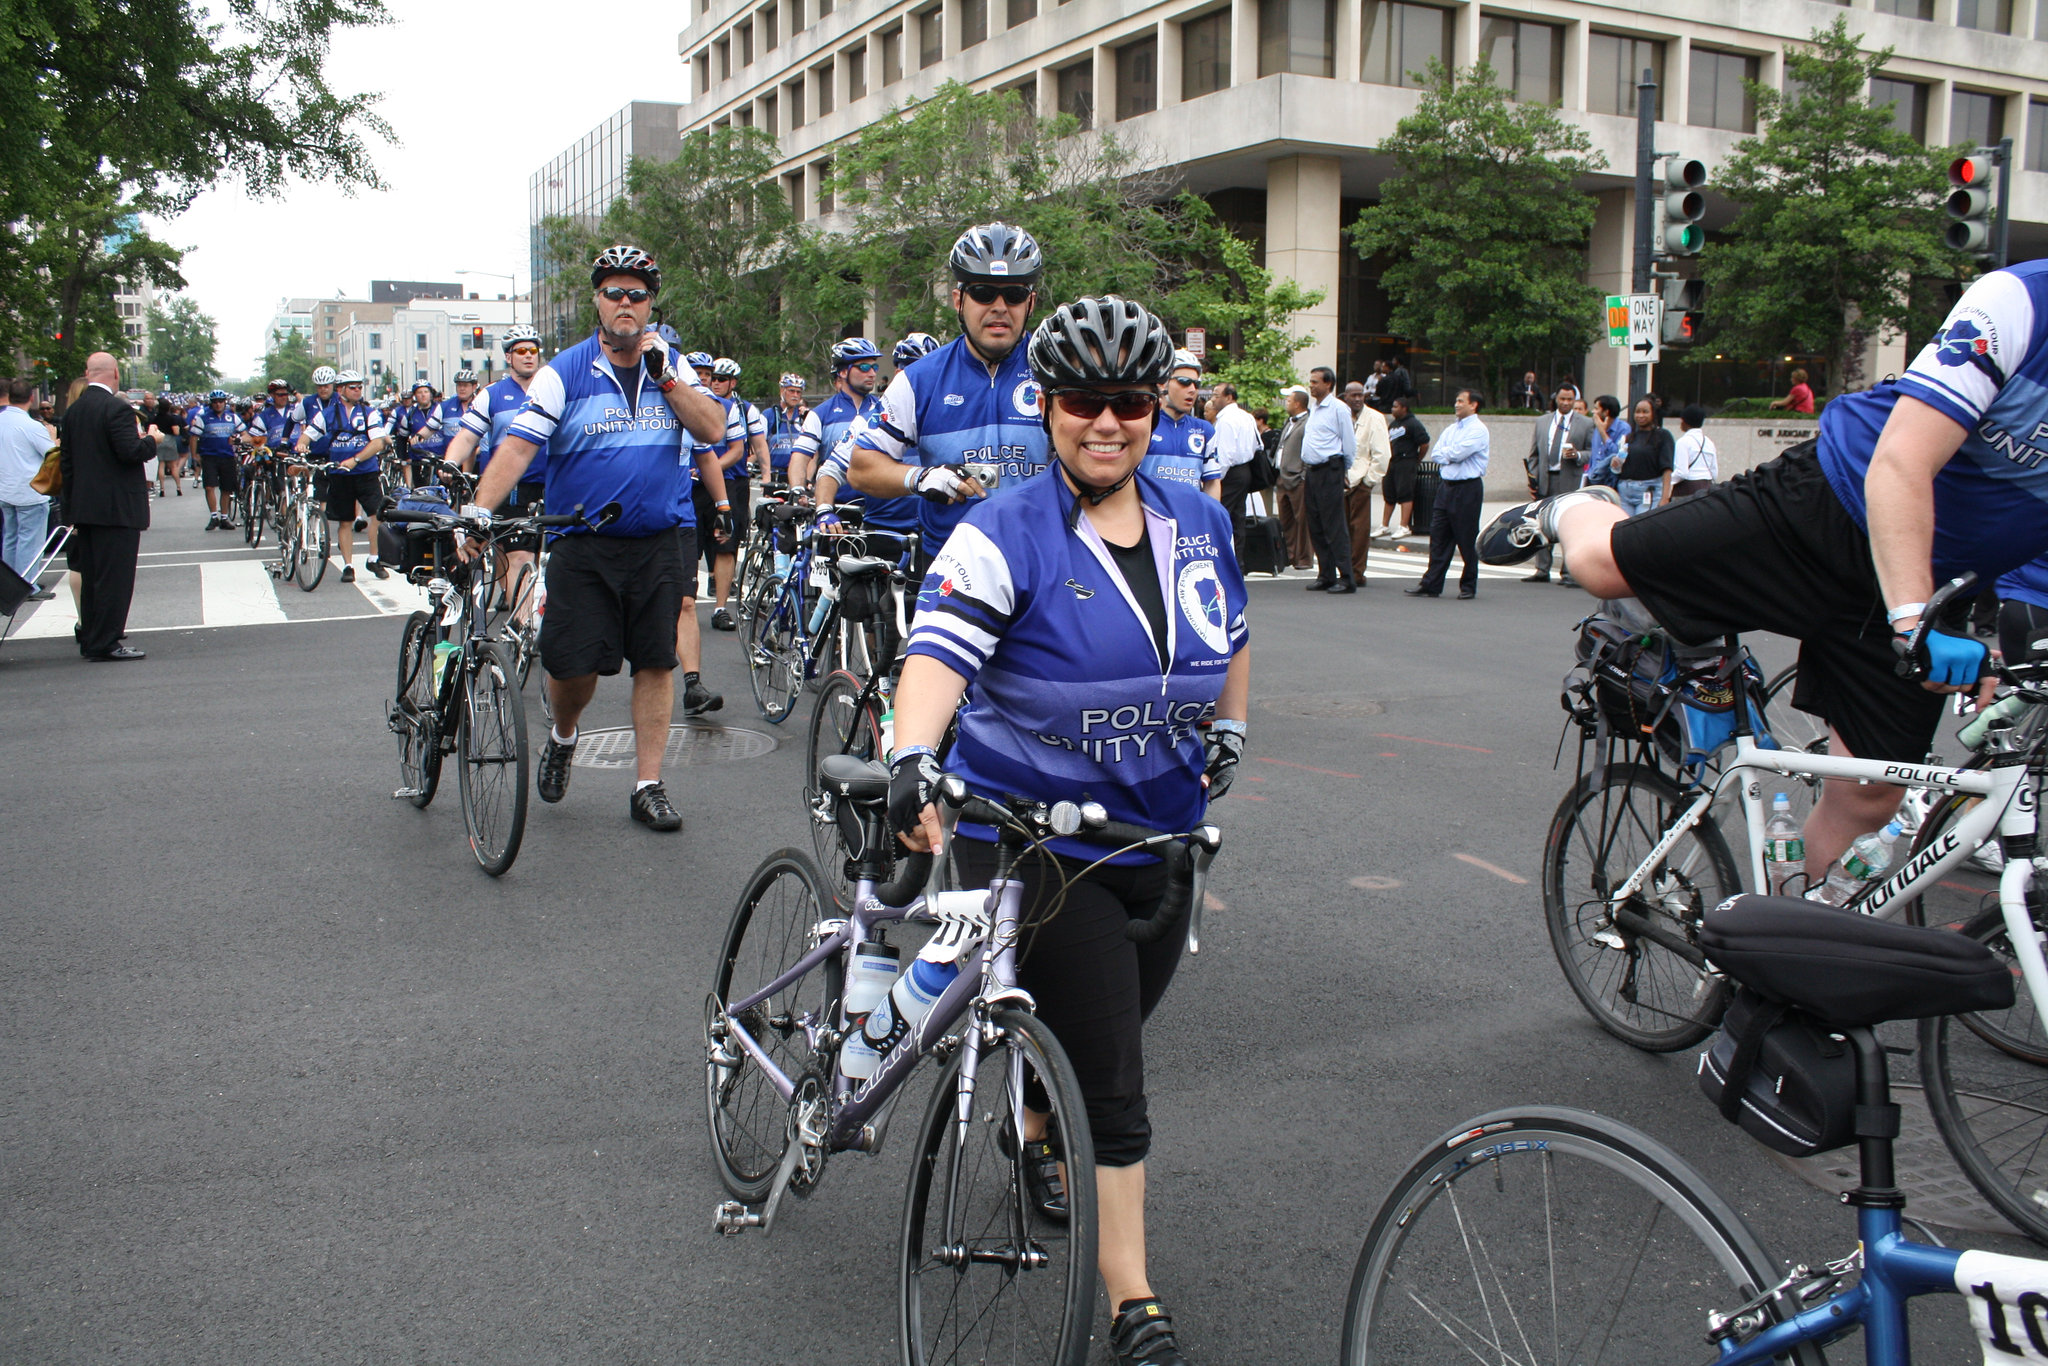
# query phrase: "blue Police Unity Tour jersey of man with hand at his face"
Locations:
[[609, 437]]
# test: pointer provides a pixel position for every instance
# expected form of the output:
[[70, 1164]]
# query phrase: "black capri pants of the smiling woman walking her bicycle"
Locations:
[[1095, 988]]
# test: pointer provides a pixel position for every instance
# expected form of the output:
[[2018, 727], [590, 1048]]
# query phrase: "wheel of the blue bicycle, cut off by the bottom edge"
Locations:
[[1498, 1275]]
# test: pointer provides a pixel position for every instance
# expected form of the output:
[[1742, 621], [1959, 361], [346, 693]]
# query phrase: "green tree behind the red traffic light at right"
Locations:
[[1842, 220]]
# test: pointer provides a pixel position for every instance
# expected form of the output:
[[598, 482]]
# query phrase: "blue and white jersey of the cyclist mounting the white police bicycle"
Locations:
[[1986, 370]]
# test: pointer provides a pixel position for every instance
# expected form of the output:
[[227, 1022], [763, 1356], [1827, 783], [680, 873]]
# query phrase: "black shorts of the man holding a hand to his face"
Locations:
[[615, 601]]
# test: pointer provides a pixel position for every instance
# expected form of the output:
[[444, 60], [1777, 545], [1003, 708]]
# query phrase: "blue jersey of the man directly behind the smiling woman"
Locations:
[[951, 411]]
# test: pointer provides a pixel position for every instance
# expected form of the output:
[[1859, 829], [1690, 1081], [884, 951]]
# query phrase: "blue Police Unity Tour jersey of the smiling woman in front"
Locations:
[[1068, 699]]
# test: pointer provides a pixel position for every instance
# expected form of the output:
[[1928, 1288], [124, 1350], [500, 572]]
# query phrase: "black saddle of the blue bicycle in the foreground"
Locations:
[[1850, 970]]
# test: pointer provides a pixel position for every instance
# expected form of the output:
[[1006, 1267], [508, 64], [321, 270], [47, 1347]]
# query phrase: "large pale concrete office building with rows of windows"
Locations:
[[1273, 108]]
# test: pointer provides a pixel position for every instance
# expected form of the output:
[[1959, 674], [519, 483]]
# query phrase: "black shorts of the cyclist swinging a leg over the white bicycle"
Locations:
[[1775, 550]]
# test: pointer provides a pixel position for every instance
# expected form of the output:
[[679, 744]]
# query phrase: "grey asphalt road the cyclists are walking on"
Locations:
[[286, 1078]]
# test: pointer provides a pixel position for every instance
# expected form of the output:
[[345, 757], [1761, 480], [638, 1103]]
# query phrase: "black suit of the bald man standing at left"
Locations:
[[108, 501]]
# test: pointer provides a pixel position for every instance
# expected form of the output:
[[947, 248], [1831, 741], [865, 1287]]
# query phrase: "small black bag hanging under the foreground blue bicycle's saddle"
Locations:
[[1781, 1076]]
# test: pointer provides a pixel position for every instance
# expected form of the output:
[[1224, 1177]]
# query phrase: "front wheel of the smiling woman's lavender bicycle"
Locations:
[[968, 1162]]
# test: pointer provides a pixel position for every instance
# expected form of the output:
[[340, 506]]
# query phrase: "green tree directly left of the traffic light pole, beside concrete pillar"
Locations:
[[1484, 226]]
